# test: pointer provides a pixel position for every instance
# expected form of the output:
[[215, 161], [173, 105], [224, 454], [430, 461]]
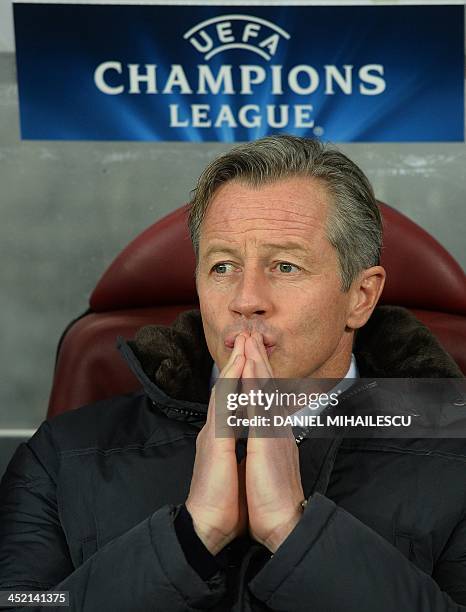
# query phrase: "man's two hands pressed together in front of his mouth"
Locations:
[[262, 493]]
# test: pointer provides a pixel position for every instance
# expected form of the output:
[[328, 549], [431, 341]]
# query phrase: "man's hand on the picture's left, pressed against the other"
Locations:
[[216, 499]]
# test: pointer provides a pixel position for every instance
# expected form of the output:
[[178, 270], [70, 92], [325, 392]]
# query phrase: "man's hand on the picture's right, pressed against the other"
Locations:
[[273, 482]]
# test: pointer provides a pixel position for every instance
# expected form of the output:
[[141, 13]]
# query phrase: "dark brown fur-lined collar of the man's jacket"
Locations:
[[393, 344]]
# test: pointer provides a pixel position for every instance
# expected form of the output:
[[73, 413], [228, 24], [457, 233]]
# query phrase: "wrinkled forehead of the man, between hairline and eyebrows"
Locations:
[[295, 208]]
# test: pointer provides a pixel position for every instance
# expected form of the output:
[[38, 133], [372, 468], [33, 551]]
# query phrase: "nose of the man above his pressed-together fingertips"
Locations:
[[251, 295]]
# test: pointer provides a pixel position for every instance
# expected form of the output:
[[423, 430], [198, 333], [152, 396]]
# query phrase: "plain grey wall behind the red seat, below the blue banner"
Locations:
[[68, 208]]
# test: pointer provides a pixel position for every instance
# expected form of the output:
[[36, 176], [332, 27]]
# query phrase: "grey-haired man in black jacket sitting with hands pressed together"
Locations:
[[136, 504]]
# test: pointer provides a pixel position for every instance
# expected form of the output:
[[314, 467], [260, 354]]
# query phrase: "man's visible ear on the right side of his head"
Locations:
[[365, 292]]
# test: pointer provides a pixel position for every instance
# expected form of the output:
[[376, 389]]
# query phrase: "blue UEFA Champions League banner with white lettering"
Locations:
[[234, 73]]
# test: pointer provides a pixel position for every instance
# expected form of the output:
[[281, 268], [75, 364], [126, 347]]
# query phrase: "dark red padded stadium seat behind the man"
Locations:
[[152, 280]]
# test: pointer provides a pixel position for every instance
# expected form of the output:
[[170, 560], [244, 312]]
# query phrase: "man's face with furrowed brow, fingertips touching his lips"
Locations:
[[266, 264]]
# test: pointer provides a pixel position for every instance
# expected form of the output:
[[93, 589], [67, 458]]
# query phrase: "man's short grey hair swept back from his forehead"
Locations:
[[354, 225]]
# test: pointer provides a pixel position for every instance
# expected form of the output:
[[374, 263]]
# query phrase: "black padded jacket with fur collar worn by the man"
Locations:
[[88, 504]]
